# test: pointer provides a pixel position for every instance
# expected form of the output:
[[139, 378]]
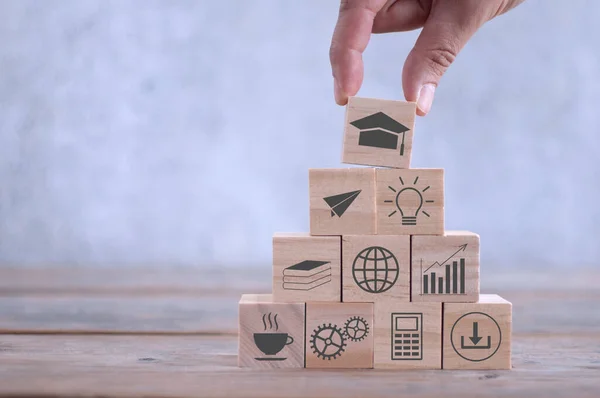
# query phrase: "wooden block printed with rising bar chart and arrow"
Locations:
[[445, 268]]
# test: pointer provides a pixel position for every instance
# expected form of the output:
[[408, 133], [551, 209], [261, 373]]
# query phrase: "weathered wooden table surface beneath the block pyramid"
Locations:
[[172, 333]]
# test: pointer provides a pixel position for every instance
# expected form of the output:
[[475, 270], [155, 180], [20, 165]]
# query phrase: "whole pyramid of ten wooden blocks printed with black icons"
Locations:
[[377, 282]]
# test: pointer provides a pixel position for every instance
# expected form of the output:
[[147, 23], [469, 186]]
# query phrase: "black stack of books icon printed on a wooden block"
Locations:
[[306, 275]]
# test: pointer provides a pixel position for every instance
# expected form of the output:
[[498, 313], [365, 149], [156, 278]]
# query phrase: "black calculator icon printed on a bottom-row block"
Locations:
[[407, 336]]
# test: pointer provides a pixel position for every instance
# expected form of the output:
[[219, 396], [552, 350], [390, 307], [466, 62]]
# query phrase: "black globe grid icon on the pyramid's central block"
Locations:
[[375, 269]]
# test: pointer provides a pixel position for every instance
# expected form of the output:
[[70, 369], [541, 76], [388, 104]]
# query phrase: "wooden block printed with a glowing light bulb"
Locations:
[[410, 202]]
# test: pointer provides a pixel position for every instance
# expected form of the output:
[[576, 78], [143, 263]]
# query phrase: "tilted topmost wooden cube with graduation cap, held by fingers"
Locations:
[[378, 132]]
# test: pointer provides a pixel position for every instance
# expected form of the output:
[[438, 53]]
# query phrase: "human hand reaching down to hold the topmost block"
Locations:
[[447, 26]]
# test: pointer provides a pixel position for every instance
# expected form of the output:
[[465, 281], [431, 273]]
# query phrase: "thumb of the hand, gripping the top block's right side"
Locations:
[[437, 46]]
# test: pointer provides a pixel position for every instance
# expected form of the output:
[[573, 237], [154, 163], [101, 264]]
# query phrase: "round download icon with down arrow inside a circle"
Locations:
[[476, 336]]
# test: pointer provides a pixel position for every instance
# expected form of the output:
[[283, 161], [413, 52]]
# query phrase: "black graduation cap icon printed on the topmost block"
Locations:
[[380, 131]]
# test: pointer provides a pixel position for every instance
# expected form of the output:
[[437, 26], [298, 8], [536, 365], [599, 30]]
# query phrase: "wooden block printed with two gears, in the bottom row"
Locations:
[[339, 335]]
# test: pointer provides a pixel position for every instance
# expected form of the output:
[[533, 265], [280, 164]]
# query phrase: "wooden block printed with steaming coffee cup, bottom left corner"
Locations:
[[271, 335]]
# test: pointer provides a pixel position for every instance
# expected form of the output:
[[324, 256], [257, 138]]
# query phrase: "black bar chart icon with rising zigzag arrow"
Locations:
[[453, 281]]
